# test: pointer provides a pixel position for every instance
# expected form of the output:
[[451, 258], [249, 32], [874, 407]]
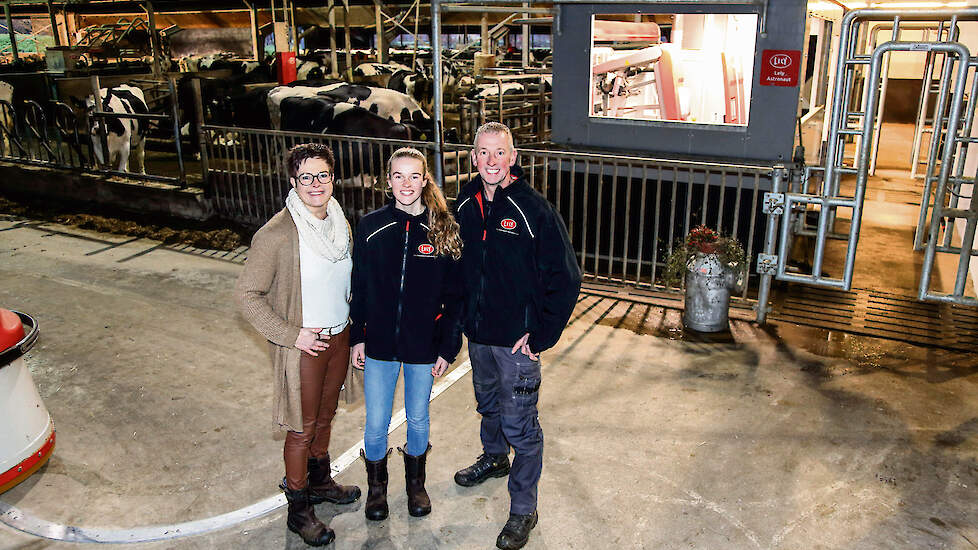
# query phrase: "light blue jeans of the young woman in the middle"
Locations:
[[379, 381]]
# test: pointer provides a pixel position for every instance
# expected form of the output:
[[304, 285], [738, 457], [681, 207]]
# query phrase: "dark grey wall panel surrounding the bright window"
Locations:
[[769, 135]]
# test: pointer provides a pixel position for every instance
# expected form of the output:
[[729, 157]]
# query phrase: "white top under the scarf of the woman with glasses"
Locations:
[[325, 289]]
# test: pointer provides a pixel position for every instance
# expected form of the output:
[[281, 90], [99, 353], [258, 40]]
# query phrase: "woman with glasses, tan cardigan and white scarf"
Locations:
[[295, 290]]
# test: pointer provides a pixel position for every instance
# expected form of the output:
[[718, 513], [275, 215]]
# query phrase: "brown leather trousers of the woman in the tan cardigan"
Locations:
[[320, 380]]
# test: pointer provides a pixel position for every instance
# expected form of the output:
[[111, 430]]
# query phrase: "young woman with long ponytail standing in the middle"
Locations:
[[405, 310]]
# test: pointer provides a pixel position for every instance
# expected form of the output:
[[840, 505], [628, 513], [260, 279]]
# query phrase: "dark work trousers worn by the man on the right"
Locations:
[[507, 390]]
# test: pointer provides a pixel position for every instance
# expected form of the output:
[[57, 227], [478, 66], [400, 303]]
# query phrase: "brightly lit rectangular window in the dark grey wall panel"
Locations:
[[677, 68]]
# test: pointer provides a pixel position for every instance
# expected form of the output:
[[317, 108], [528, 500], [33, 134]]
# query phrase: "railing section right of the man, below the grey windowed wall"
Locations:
[[624, 214]]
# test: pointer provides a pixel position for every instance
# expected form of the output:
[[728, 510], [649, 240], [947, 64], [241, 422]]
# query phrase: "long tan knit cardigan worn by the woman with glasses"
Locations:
[[269, 294]]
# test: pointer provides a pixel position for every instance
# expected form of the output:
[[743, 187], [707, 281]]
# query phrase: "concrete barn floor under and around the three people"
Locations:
[[771, 437]]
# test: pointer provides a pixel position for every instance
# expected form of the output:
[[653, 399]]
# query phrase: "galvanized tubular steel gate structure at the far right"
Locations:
[[783, 208]]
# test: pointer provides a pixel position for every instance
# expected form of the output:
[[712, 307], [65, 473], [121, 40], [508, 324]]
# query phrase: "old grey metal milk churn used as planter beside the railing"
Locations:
[[707, 295]]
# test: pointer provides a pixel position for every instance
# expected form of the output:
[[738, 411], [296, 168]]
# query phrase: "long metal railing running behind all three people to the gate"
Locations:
[[623, 213]]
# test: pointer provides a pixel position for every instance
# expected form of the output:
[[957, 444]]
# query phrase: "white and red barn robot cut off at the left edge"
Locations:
[[26, 429]]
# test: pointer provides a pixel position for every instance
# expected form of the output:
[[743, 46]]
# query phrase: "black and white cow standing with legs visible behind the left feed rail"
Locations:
[[123, 135]]
